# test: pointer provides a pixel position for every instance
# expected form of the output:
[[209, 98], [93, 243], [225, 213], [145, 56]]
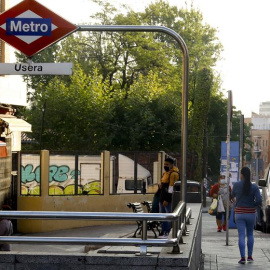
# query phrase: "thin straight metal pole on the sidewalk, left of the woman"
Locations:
[[229, 120]]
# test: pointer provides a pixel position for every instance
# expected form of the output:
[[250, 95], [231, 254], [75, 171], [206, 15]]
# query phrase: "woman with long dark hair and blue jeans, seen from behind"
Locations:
[[247, 198]]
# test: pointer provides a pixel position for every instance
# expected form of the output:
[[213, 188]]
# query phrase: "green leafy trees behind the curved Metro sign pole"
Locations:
[[125, 93]]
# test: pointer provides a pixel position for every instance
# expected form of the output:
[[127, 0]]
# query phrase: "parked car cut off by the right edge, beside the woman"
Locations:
[[265, 189]]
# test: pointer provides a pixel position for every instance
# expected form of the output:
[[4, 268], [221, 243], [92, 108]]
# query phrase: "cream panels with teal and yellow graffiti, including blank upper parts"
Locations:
[[61, 177]]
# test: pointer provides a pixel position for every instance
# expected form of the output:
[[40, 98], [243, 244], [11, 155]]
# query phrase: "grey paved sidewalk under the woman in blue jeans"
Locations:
[[217, 255]]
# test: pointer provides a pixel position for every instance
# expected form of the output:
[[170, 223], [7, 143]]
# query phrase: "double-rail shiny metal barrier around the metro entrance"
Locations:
[[178, 217]]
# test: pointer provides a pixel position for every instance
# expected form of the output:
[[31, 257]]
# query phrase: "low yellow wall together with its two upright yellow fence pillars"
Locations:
[[83, 203]]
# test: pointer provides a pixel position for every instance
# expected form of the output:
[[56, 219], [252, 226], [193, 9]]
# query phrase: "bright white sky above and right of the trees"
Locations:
[[243, 29]]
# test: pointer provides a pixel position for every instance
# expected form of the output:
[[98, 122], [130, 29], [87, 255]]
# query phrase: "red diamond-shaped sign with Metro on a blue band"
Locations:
[[30, 27]]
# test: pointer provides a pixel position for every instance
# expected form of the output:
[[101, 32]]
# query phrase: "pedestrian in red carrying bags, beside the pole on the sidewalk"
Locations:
[[220, 191]]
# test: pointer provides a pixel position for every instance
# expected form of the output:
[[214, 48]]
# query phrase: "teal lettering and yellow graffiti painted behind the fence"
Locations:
[[61, 181]]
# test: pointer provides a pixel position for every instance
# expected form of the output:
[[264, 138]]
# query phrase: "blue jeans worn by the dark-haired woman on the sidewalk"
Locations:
[[245, 224]]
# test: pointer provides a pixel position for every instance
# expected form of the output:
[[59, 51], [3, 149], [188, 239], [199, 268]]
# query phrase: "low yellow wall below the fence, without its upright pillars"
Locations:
[[92, 203]]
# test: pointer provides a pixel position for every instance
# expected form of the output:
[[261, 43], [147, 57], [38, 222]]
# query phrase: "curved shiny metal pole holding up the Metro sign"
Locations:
[[183, 47]]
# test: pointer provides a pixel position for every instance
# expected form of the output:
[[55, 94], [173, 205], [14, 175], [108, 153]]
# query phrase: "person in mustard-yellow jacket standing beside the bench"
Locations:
[[169, 177]]
